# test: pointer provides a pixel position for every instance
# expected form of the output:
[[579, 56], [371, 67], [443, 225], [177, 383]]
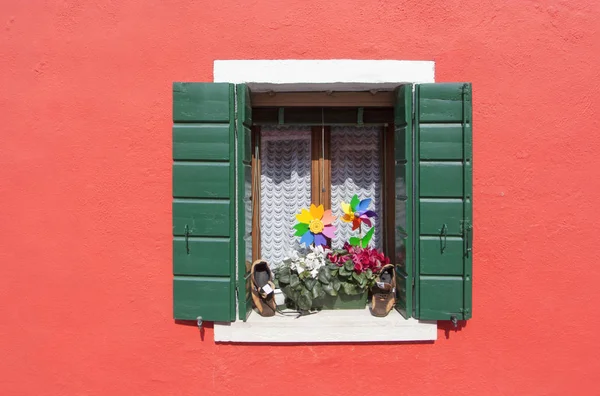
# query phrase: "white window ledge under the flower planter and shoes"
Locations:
[[327, 326]]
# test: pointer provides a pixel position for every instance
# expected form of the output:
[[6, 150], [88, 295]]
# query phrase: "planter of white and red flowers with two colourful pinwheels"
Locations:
[[309, 278]]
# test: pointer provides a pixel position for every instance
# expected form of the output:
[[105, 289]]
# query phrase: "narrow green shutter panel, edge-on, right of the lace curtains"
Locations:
[[403, 234]]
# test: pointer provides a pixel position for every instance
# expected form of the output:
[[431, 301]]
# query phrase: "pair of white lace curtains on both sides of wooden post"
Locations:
[[286, 182]]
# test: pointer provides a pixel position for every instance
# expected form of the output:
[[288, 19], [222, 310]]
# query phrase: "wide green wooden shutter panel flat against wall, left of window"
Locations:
[[203, 201]]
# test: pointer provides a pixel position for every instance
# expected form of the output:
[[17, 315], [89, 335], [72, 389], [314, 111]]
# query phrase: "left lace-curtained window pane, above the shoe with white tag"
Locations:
[[285, 188]]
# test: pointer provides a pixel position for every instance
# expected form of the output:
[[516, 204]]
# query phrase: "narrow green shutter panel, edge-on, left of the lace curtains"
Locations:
[[244, 177]]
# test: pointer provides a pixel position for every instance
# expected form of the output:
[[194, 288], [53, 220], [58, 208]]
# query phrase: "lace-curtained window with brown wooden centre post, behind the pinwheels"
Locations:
[[300, 165]]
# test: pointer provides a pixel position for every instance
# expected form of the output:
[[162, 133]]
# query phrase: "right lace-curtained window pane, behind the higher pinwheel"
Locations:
[[356, 169]]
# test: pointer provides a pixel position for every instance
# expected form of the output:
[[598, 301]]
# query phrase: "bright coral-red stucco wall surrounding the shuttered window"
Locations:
[[85, 195]]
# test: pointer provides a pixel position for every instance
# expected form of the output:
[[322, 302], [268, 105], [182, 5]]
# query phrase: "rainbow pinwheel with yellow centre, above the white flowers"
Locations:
[[315, 225]]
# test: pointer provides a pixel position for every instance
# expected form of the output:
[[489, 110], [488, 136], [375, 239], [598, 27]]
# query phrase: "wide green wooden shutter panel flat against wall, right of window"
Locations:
[[444, 210]]
